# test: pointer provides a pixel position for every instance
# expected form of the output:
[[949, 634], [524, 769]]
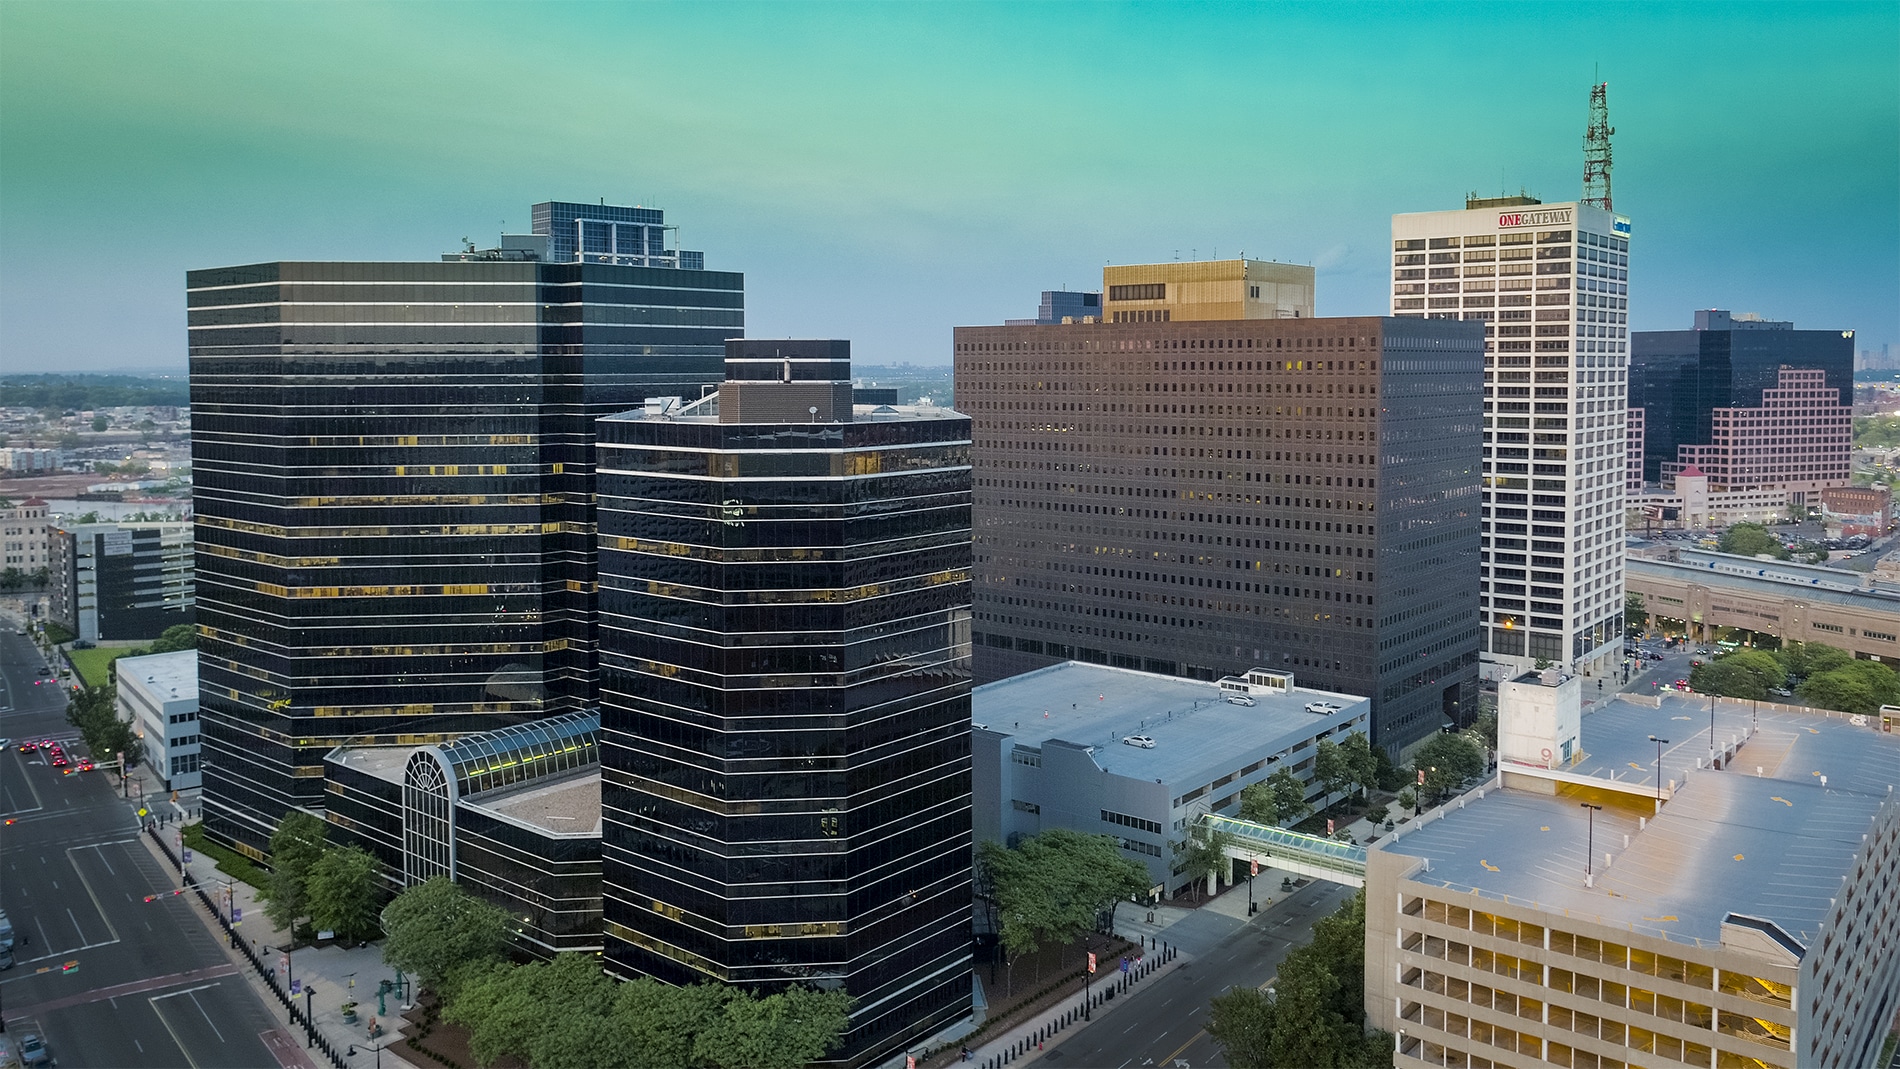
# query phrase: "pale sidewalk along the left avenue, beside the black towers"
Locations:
[[326, 977]]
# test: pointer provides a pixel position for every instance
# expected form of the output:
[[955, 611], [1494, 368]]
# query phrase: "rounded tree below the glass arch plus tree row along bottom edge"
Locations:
[[567, 1013]]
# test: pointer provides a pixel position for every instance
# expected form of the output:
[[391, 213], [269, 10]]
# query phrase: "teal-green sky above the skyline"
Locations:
[[888, 172]]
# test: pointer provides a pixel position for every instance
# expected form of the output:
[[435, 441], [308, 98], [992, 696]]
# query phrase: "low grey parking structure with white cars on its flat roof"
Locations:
[[1141, 757]]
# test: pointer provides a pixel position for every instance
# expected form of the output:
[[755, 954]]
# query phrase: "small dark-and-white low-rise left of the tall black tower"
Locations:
[[123, 582]]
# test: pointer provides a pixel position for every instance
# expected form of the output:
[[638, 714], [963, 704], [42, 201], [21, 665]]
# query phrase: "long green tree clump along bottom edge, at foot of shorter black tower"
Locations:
[[567, 1013]]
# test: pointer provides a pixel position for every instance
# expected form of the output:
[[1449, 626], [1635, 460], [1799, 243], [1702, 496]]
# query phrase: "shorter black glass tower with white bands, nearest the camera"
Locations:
[[786, 694]]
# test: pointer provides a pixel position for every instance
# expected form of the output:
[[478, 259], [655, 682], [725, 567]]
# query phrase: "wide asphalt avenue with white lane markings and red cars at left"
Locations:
[[104, 975]]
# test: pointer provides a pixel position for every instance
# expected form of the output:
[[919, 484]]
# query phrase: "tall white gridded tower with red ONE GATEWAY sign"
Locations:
[[1551, 286]]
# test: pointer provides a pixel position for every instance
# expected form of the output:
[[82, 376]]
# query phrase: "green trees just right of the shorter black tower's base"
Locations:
[[1054, 888]]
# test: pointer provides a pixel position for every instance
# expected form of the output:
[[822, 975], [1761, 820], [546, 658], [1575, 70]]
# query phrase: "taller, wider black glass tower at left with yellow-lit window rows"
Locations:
[[394, 493]]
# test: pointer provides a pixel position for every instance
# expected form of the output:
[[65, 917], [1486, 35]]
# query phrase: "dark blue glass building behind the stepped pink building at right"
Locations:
[[1682, 377]]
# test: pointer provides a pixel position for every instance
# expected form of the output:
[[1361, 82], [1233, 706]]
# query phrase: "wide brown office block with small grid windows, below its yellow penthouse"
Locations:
[[1202, 498]]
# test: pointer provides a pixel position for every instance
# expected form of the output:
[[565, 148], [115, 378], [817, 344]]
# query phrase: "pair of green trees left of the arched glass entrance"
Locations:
[[337, 890]]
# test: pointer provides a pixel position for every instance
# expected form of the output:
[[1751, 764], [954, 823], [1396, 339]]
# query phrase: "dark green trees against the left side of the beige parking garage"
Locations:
[[1316, 1013]]
